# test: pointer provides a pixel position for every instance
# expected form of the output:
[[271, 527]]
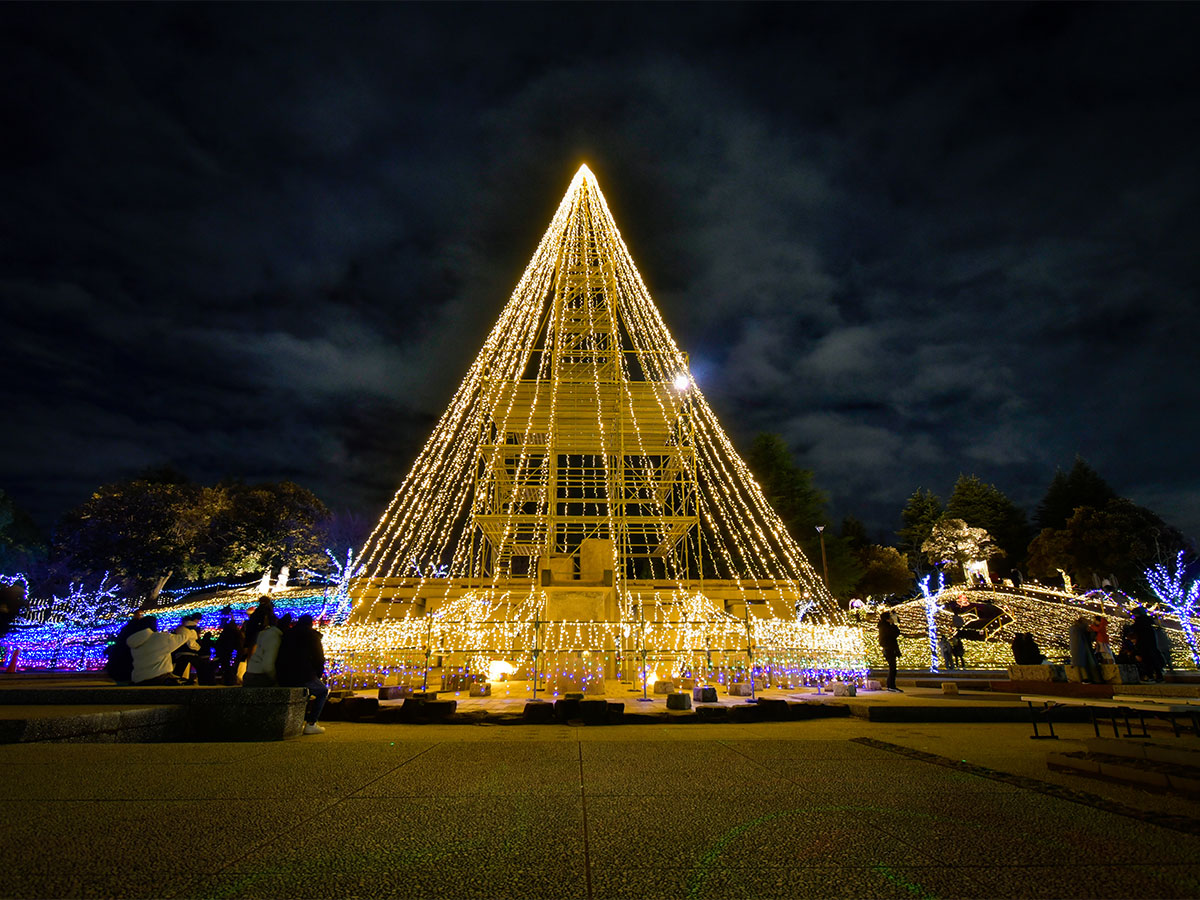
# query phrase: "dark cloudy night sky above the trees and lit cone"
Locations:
[[267, 241]]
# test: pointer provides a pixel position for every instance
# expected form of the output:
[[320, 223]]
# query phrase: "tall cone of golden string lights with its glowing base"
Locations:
[[579, 513]]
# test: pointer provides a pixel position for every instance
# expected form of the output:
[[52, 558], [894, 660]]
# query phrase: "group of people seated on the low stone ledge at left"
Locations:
[[275, 651]]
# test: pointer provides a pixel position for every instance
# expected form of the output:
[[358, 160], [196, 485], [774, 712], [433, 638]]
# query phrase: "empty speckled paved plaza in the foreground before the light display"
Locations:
[[824, 808]]
